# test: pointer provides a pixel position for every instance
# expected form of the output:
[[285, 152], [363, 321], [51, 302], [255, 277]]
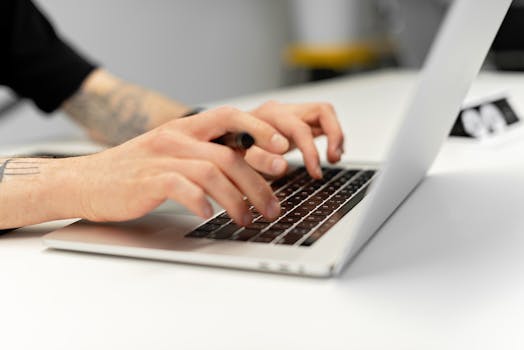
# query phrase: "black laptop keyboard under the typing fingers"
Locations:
[[309, 208]]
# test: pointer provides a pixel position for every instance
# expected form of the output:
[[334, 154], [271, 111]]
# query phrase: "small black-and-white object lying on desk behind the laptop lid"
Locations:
[[485, 119]]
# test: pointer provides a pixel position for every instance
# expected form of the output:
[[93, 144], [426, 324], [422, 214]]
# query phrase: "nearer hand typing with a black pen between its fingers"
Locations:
[[176, 161]]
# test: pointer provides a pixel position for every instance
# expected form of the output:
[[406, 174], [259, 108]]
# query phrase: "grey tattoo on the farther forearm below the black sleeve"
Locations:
[[116, 116]]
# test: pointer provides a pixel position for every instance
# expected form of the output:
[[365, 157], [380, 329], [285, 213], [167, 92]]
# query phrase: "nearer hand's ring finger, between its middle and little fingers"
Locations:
[[216, 184]]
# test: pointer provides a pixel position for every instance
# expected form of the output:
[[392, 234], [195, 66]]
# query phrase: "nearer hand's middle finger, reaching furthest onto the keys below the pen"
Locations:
[[247, 180]]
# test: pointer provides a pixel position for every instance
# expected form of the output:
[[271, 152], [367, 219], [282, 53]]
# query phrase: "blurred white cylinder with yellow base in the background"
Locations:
[[336, 35]]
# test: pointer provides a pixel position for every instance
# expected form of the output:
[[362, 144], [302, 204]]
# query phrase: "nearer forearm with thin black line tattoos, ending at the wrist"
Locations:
[[34, 190]]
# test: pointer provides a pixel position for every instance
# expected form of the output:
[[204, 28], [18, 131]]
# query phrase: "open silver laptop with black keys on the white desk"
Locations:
[[324, 223]]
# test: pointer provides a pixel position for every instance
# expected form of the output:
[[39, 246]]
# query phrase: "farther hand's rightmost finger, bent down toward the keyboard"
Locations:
[[331, 127]]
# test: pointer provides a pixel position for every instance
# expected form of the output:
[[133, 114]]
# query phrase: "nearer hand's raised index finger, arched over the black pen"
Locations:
[[227, 119]]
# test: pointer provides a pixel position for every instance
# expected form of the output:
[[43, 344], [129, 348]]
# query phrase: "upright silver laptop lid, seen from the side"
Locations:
[[452, 64]]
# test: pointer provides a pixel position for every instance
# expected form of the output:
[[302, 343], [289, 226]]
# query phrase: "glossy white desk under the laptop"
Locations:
[[446, 272]]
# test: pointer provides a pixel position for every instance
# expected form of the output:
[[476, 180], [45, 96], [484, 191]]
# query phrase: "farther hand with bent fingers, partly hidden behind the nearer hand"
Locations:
[[300, 123]]
